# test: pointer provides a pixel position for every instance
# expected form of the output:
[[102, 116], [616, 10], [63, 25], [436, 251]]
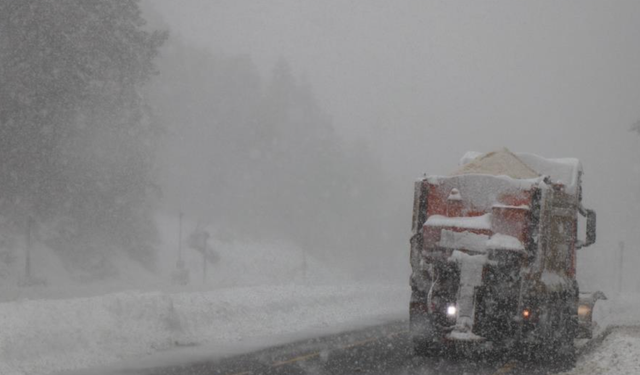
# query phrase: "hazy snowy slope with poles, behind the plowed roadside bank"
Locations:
[[239, 263]]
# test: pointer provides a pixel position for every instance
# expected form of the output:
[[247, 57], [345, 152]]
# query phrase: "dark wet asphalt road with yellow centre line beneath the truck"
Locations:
[[383, 350]]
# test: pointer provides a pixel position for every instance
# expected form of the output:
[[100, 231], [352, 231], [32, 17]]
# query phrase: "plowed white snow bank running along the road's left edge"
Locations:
[[45, 336]]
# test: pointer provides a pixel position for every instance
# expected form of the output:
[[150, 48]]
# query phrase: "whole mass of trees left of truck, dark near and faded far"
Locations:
[[92, 141]]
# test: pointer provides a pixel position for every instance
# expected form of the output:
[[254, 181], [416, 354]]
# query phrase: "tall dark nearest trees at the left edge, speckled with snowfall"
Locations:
[[77, 144]]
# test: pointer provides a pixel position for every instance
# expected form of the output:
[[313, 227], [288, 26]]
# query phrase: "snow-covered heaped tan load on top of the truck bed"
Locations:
[[522, 166]]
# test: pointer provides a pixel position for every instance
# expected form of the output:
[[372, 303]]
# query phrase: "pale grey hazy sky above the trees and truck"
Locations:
[[424, 81]]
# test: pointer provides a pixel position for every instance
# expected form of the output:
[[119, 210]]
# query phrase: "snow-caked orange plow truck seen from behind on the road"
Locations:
[[493, 256]]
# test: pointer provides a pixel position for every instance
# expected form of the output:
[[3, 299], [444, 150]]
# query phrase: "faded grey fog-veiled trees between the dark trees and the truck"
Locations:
[[259, 158]]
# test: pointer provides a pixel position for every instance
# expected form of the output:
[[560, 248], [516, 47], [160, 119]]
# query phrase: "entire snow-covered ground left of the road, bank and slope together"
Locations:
[[254, 290]]
